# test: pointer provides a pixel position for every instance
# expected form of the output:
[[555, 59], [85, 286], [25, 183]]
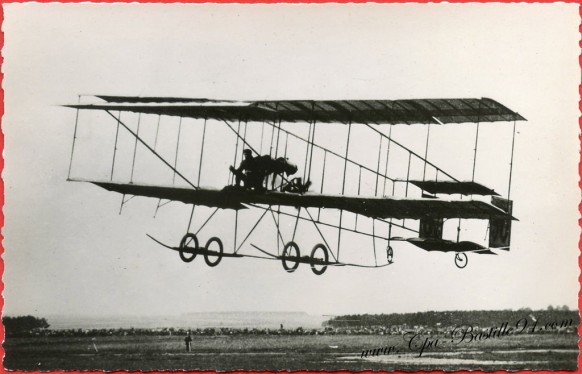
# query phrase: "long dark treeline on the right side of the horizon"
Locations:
[[481, 318]]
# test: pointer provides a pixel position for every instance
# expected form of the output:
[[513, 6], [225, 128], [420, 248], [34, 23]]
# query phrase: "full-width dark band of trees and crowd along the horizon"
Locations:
[[560, 319]]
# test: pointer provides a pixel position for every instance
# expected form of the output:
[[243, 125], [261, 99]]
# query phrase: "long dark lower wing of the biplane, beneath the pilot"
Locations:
[[374, 207]]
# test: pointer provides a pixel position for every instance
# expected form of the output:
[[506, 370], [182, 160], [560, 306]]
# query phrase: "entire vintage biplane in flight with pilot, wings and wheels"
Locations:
[[400, 208]]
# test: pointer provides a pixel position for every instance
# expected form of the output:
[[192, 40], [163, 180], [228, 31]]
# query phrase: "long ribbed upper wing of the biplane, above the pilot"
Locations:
[[412, 111]]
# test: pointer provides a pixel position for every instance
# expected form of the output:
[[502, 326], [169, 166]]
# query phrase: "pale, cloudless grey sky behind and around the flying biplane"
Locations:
[[68, 251]]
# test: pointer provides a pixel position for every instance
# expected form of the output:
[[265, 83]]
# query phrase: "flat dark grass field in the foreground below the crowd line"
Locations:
[[310, 352]]
